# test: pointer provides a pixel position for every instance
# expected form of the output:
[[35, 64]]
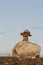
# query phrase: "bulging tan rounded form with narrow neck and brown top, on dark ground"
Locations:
[[25, 48]]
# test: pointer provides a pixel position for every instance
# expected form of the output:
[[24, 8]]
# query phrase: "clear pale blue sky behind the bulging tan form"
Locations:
[[16, 16]]
